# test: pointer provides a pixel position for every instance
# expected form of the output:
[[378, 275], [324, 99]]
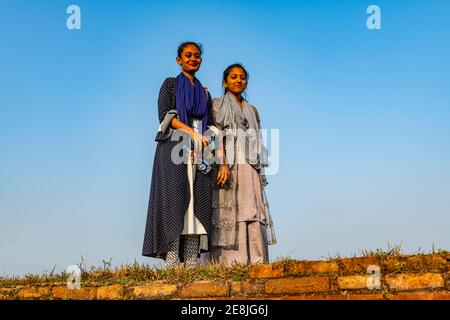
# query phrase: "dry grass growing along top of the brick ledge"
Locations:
[[135, 273]]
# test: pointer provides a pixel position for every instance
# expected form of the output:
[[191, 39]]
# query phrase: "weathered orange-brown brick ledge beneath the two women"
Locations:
[[404, 277]]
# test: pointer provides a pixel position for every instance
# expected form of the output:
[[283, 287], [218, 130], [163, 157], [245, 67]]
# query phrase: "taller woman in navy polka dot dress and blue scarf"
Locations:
[[179, 210]]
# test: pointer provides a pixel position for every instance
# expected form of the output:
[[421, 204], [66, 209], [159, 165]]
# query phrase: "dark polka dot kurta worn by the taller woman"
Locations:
[[169, 192]]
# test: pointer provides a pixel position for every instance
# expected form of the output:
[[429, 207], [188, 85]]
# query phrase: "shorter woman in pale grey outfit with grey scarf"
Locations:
[[242, 227]]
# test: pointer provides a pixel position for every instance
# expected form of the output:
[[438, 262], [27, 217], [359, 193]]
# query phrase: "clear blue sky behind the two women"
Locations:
[[363, 118]]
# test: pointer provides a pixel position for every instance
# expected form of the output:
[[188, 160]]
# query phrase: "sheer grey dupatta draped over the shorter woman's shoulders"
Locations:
[[233, 121]]
